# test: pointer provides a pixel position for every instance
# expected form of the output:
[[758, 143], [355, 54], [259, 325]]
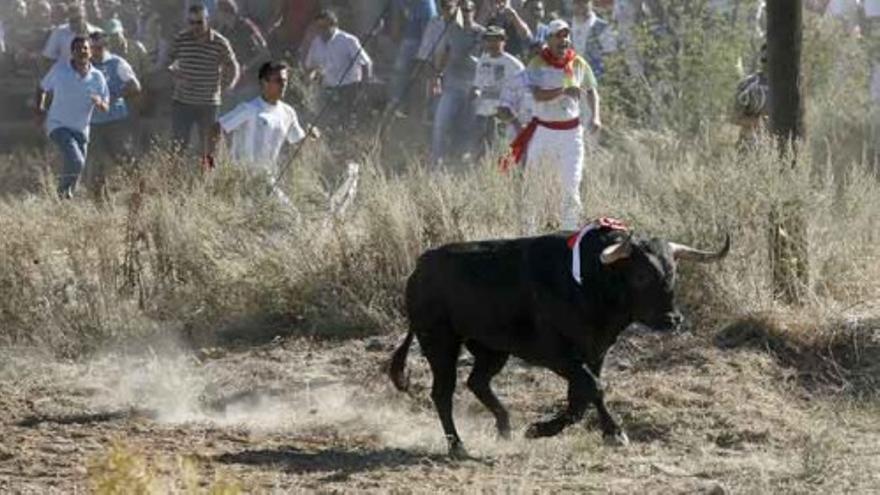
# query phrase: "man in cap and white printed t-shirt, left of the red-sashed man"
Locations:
[[495, 68]]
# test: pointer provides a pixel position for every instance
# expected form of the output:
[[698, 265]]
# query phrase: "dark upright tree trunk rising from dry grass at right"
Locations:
[[788, 235]]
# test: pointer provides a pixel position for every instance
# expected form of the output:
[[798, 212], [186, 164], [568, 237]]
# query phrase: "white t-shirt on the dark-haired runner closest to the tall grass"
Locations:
[[259, 130]]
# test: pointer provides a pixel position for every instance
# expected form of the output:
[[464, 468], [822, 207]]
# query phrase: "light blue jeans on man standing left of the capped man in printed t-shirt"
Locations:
[[453, 123]]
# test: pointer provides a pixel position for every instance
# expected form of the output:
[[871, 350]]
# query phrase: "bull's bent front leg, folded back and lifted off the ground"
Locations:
[[583, 390]]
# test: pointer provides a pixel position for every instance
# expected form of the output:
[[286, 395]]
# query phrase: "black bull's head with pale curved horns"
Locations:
[[649, 272]]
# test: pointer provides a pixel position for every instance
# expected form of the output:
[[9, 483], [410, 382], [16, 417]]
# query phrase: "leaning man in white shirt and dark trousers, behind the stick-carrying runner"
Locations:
[[338, 61]]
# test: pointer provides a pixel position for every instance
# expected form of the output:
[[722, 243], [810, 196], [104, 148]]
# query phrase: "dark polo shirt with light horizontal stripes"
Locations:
[[202, 67]]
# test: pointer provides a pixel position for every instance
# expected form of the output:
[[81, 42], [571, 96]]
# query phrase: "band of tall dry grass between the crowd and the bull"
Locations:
[[172, 249]]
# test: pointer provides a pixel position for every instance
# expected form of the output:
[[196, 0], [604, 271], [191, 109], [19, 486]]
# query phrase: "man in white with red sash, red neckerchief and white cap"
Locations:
[[552, 145]]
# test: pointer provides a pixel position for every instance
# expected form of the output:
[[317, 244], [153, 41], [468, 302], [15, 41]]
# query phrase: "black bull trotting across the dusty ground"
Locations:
[[518, 297]]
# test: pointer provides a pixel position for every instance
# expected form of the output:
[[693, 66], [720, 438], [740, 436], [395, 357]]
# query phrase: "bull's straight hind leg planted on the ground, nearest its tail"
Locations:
[[442, 350]]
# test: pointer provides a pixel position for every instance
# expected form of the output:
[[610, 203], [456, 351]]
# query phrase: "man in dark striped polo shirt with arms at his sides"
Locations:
[[202, 65]]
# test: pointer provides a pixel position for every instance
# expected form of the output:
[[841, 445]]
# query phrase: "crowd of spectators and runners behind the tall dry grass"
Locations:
[[485, 75]]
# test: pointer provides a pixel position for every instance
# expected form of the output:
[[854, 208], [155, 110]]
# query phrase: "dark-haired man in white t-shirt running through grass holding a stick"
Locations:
[[261, 126]]
